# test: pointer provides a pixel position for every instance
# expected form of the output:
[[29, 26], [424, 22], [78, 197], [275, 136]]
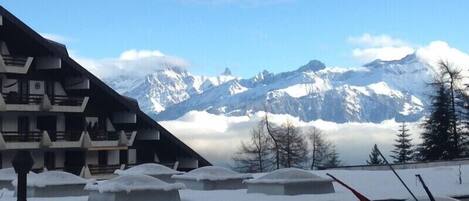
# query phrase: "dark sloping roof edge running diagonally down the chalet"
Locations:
[[60, 51]]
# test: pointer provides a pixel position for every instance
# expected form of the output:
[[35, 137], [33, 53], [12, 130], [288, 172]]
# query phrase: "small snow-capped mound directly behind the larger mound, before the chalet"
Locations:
[[151, 169]]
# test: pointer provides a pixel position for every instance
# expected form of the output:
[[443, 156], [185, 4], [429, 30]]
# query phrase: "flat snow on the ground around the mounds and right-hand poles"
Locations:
[[442, 181]]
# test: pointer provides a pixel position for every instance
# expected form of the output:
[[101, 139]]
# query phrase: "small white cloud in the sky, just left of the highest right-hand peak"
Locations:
[[383, 47]]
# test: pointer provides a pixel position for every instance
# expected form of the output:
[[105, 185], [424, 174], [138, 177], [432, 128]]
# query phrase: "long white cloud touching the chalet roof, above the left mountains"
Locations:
[[130, 62]]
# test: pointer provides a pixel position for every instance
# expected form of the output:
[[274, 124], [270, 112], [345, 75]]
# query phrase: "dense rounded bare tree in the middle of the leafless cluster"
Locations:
[[292, 146]]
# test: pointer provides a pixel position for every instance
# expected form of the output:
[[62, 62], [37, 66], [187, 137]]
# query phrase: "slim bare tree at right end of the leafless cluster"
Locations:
[[319, 147]]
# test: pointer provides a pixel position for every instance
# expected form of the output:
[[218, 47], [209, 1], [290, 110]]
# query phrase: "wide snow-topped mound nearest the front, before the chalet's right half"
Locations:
[[129, 183]]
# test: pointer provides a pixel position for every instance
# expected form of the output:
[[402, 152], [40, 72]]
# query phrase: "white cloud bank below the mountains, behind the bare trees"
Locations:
[[208, 132]]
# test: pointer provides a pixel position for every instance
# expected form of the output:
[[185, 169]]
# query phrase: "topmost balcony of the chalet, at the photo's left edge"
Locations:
[[15, 64]]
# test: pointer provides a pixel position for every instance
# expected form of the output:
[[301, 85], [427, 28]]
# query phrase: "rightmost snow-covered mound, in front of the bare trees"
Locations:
[[287, 175]]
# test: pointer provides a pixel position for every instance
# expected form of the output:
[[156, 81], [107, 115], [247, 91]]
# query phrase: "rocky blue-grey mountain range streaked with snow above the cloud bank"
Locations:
[[375, 92]]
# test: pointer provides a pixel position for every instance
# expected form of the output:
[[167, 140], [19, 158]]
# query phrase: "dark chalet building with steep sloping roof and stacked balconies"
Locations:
[[67, 117]]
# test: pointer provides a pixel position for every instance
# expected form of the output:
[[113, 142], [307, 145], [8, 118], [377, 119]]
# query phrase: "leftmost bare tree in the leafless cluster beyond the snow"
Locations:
[[255, 155]]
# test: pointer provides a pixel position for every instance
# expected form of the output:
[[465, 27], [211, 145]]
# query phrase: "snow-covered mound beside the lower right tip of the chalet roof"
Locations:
[[212, 173]]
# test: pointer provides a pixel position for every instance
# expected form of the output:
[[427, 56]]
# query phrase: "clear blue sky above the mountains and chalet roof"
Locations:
[[246, 35]]
